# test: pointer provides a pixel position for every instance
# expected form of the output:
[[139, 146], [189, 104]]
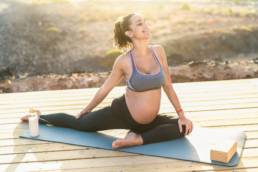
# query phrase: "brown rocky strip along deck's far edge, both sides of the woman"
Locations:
[[195, 71]]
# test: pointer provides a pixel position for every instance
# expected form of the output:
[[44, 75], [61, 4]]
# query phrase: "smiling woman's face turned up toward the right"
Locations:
[[139, 28]]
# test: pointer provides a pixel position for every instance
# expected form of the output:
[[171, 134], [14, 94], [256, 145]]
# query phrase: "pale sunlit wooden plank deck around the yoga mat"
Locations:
[[228, 103]]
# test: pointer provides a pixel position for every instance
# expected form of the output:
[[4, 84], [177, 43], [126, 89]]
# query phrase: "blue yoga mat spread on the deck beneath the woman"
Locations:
[[193, 147]]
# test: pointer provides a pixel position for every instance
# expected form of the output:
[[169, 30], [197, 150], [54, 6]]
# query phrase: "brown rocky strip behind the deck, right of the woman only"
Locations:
[[201, 70]]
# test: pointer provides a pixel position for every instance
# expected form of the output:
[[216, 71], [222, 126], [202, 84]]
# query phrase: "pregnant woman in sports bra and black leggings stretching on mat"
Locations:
[[145, 69]]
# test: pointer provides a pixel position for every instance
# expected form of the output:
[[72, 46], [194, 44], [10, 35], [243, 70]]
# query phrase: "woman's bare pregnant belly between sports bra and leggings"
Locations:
[[143, 106]]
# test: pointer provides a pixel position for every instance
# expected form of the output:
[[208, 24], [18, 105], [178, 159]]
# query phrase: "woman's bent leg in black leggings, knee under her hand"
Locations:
[[162, 128]]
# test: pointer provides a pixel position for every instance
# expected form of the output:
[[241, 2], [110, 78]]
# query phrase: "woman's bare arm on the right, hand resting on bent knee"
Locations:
[[170, 92]]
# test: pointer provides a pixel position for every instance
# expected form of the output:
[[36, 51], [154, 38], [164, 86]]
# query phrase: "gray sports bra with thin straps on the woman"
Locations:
[[142, 82]]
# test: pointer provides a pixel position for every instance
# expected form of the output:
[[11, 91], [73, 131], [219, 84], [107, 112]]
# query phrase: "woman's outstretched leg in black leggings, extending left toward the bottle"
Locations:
[[101, 119]]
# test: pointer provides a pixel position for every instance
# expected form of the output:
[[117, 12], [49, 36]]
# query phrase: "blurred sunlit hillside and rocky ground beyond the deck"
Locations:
[[64, 44]]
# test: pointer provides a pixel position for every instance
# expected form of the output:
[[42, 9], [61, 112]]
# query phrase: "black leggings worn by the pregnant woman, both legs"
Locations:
[[117, 116]]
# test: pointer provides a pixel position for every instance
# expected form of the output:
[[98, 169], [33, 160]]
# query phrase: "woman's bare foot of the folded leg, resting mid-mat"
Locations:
[[131, 139]]
